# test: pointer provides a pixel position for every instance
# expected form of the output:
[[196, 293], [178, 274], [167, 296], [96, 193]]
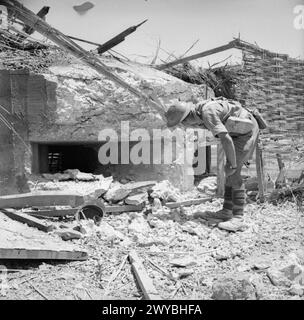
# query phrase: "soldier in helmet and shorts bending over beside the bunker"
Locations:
[[238, 144]]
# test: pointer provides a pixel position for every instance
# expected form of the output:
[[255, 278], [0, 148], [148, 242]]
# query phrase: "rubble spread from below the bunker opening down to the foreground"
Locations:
[[184, 255]]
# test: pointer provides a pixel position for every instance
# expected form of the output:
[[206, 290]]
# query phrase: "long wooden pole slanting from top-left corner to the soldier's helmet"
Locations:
[[32, 20]]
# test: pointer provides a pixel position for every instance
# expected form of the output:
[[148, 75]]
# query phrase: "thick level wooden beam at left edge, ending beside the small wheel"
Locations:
[[41, 199]]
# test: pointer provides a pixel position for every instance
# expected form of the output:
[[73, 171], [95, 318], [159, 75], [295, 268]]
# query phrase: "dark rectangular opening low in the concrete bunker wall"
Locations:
[[52, 158]]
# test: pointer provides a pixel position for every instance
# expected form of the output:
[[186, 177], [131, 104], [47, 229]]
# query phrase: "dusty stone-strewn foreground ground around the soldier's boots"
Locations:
[[273, 233]]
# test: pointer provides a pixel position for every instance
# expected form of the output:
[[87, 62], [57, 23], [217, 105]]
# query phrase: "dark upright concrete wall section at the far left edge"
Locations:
[[14, 146]]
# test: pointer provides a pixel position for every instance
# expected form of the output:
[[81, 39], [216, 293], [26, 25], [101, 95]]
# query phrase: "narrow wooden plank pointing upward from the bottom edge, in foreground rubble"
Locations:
[[145, 282]]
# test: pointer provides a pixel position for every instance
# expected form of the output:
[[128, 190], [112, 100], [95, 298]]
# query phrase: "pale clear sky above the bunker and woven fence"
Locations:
[[177, 24]]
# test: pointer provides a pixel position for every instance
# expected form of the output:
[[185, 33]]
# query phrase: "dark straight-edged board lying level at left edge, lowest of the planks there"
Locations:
[[40, 254]]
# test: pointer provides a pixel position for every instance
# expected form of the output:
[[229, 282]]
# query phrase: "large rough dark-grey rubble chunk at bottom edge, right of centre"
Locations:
[[233, 287]]
